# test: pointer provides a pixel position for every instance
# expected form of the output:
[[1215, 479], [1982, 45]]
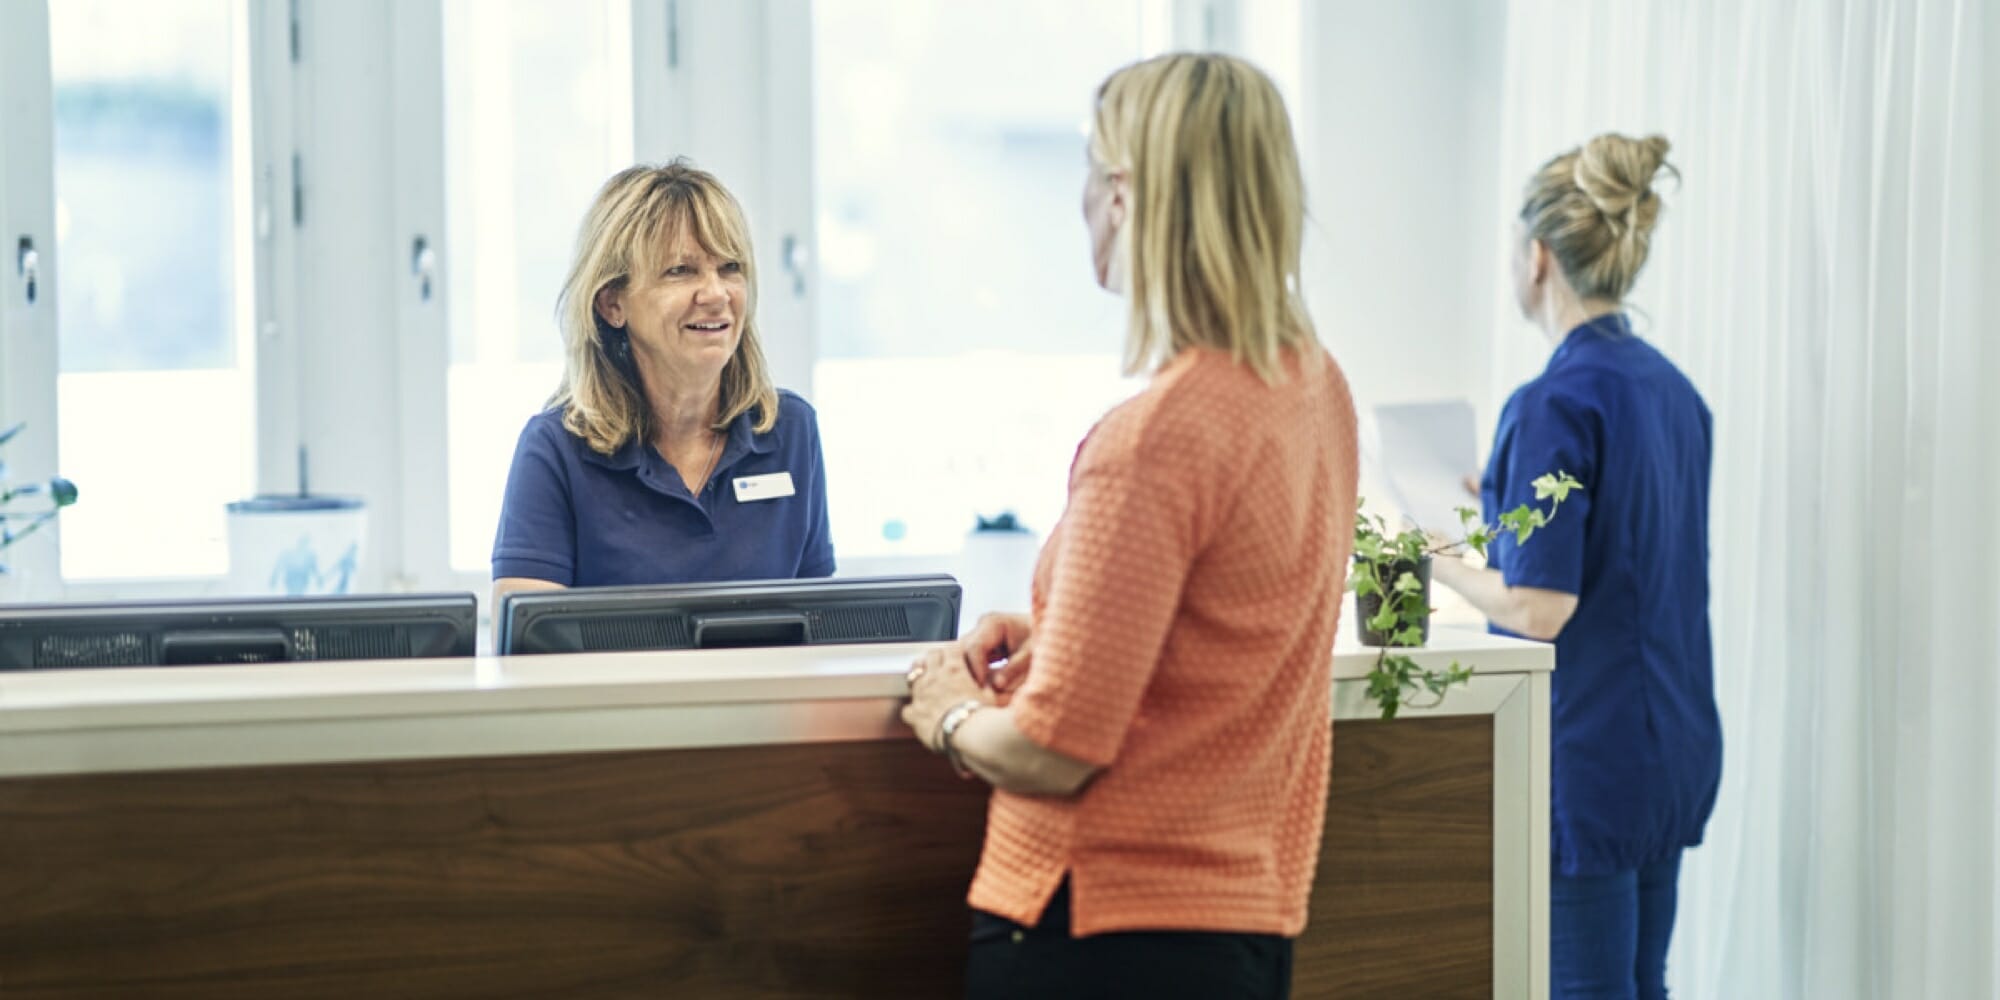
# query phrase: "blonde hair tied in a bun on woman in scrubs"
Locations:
[[1595, 211]]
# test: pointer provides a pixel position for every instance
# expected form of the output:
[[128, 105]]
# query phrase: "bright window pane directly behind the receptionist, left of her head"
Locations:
[[539, 115]]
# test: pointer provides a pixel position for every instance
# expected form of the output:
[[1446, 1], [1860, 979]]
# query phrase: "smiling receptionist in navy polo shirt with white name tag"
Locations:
[[667, 455]]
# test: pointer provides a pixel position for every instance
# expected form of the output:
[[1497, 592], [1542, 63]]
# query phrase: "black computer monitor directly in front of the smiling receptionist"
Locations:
[[707, 617]]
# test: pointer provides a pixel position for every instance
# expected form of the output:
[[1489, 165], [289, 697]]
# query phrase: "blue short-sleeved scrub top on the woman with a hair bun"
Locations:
[[1637, 741]]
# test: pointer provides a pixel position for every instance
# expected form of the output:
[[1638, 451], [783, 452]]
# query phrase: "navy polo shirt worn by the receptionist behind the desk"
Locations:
[[585, 519]]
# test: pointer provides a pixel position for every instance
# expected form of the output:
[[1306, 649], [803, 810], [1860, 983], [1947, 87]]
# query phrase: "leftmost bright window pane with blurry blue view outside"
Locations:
[[155, 387]]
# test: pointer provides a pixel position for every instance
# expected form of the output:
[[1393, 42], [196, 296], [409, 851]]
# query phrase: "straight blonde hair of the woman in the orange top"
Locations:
[[1217, 211]]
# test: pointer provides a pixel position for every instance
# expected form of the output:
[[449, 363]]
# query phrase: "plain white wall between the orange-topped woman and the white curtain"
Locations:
[[1401, 255]]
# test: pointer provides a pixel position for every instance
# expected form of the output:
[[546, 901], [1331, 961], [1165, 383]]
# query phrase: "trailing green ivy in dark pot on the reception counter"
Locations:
[[1391, 583]]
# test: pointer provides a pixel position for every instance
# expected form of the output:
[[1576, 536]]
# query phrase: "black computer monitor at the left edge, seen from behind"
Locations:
[[237, 631]]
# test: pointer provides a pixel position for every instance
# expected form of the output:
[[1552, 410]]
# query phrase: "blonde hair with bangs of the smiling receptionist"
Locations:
[[637, 217]]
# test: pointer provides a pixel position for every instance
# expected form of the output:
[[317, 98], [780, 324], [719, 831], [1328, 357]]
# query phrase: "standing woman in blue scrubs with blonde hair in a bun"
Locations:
[[1619, 579]]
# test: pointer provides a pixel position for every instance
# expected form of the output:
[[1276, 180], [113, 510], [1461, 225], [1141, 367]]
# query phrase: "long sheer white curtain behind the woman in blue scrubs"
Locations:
[[1827, 275]]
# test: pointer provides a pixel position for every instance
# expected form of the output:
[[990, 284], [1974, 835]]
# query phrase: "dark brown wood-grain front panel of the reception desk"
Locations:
[[765, 871]]
